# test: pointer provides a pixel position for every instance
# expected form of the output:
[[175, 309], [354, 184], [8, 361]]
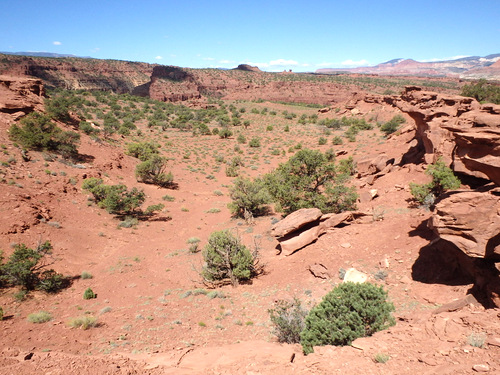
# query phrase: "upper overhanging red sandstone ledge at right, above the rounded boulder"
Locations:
[[464, 133]]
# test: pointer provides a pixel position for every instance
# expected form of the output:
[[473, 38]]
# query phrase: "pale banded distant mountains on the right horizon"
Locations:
[[471, 67]]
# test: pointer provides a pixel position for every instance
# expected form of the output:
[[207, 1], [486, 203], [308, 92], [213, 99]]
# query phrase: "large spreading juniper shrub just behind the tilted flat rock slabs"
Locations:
[[310, 179]]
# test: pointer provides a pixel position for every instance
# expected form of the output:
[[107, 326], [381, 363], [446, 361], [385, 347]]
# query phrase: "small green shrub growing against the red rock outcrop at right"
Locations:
[[442, 179]]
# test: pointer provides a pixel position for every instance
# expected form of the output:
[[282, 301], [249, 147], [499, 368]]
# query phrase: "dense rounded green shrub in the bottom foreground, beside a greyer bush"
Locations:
[[349, 311]]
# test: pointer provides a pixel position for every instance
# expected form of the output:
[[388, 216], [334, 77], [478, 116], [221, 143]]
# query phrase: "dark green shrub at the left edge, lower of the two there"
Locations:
[[26, 268]]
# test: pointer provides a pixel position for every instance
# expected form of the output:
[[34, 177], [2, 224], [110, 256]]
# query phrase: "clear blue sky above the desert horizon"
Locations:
[[274, 35]]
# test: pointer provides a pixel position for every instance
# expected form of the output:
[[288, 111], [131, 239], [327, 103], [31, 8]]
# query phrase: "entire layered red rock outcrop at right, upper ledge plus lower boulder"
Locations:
[[466, 136]]
